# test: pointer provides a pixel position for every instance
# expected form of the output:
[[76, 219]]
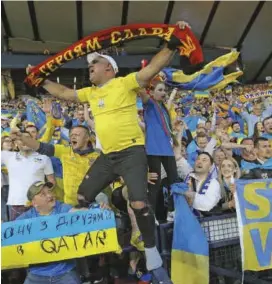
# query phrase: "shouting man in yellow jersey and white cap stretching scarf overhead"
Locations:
[[113, 105]]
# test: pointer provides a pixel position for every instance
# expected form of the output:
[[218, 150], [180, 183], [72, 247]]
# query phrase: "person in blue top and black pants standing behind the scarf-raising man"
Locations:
[[159, 137]]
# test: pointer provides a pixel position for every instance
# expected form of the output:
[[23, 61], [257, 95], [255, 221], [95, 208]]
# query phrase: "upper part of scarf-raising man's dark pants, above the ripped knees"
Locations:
[[130, 164]]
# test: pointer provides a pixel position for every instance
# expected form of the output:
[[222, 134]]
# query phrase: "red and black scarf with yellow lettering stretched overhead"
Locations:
[[103, 39]]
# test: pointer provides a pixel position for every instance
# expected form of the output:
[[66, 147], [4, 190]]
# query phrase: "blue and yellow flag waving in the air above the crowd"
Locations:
[[210, 77]]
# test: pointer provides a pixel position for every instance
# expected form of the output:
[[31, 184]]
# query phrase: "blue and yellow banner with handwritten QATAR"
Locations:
[[57, 237]]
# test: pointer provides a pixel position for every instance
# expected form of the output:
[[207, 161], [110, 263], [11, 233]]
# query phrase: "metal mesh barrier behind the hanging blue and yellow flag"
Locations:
[[225, 254]]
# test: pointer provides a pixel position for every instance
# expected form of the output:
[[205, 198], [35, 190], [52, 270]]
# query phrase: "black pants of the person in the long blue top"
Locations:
[[154, 164]]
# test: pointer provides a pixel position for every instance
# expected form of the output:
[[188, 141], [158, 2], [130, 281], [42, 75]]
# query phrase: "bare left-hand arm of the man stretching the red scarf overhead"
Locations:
[[57, 90]]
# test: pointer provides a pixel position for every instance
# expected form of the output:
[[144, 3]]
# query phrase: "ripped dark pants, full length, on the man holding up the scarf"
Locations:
[[131, 165]]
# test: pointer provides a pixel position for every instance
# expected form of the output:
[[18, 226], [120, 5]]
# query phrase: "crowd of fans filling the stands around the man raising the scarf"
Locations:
[[230, 140]]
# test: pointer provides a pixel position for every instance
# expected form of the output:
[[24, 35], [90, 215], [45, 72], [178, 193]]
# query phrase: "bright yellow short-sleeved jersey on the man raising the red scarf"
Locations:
[[115, 113]]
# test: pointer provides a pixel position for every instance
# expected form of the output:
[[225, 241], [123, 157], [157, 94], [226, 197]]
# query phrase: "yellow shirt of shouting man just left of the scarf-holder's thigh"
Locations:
[[74, 167]]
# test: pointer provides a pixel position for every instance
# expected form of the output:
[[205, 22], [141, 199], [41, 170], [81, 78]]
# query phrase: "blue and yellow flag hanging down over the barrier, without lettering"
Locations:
[[190, 249]]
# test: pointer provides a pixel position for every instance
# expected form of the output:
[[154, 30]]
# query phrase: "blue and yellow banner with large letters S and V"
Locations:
[[254, 214]]
